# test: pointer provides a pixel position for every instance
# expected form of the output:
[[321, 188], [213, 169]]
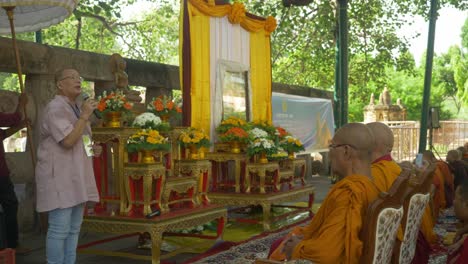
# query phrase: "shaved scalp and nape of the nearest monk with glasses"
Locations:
[[358, 136]]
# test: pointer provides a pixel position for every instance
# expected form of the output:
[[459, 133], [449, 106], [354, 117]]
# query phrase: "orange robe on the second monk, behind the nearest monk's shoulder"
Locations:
[[385, 171]]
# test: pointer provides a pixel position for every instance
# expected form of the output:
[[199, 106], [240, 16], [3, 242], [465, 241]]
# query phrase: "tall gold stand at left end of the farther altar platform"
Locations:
[[222, 157]]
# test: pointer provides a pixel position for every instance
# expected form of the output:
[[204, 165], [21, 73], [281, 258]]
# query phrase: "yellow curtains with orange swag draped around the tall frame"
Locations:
[[200, 12]]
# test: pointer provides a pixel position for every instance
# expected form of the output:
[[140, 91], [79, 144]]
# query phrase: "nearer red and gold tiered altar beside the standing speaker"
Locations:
[[132, 190]]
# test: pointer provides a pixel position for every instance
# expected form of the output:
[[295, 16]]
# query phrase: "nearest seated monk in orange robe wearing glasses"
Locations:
[[332, 236]]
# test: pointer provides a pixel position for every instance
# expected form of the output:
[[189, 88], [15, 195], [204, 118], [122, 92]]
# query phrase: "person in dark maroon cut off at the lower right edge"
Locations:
[[458, 252]]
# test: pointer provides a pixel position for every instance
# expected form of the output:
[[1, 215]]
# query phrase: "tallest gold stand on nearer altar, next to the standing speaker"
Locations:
[[115, 138]]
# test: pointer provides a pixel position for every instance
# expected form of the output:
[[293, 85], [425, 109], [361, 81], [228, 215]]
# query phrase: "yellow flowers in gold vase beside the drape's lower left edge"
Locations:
[[194, 139]]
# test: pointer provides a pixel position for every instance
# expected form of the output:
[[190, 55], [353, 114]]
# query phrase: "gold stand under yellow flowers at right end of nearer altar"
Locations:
[[200, 169]]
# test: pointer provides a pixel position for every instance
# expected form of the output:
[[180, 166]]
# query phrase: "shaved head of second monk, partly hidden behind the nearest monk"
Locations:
[[383, 139]]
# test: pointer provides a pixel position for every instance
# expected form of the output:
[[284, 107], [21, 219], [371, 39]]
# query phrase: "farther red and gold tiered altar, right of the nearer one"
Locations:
[[259, 184]]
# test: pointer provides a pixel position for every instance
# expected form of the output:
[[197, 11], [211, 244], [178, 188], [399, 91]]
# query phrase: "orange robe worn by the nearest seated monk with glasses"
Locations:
[[332, 236]]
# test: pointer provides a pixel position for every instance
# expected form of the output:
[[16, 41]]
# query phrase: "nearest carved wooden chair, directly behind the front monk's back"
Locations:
[[382, 220]]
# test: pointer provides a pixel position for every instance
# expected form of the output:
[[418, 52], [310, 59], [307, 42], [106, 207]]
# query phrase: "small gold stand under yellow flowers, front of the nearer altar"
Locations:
[[151, 173]]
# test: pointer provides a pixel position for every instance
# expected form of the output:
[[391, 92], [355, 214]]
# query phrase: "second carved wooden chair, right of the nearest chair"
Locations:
[[417, 199]]
